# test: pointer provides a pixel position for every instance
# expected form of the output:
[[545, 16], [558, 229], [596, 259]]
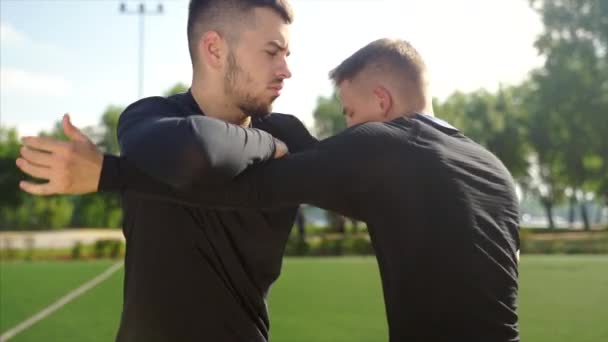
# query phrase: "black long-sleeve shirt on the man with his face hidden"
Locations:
[[441, 210]]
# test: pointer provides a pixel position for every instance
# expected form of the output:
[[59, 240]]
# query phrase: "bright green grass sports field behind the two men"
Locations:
[[562, 299]]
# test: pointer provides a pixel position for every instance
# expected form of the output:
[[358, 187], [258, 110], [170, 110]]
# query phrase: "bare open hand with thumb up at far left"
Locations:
[[71, 167]]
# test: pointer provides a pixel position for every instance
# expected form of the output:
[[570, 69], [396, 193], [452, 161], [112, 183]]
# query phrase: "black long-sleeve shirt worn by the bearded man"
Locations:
[[195, 274]]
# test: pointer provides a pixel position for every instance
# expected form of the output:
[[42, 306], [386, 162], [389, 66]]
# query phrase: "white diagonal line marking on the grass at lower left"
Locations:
[[59, 303]]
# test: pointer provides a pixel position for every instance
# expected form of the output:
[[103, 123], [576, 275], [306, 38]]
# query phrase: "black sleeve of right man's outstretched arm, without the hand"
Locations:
[[336, 174]]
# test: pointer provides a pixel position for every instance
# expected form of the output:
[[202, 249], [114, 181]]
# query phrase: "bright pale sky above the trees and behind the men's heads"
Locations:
[[79, 56]]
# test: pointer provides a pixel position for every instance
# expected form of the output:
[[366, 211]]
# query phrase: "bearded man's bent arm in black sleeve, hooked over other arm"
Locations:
[[182, 151]]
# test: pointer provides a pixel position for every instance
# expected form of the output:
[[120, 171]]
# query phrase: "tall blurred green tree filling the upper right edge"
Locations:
[[572, 90]]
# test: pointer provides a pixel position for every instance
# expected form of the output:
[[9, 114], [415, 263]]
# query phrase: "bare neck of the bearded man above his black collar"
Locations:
[[213, 101]]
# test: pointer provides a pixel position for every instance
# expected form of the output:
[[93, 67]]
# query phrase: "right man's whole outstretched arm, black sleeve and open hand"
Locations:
[[337, 174]]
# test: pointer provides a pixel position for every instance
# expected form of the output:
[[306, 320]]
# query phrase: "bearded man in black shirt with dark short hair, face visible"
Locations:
[[194, 274]]
